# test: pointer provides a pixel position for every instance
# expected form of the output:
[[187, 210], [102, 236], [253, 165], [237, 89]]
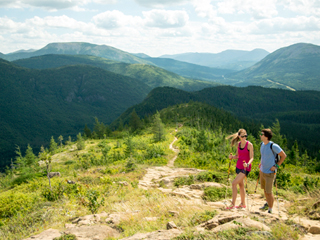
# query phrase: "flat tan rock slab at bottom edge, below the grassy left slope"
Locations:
[[96, 232]]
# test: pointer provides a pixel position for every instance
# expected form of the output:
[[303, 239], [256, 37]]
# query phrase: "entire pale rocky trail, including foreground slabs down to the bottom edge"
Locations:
[[91, 227]]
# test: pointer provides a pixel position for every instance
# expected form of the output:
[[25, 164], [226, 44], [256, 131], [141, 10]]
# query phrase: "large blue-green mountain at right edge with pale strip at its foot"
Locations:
[[296, 66]]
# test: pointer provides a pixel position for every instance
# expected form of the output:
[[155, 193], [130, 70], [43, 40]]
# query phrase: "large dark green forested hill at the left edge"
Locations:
[[38, 104]]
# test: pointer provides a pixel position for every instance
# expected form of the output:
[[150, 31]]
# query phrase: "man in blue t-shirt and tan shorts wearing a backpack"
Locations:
[[268, 166]]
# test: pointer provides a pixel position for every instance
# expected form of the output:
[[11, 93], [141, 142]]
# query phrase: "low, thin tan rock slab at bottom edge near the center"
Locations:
[[156, 235]]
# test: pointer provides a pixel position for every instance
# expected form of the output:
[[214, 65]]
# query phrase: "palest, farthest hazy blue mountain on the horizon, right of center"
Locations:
[[229, 59]]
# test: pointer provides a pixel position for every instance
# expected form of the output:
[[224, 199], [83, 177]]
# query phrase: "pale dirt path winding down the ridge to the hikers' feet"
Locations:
[[163, 179]]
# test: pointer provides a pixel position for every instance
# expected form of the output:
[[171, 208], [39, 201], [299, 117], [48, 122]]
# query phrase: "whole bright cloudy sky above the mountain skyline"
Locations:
[[158, 27]]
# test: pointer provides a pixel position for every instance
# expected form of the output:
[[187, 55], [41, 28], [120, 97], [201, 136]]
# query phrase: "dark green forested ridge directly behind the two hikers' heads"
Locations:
[[251, 103]]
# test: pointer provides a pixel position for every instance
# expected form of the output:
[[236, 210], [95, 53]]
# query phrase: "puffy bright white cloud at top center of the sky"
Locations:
[[165, 18]]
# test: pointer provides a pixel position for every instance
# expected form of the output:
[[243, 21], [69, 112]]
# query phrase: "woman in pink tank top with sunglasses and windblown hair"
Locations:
[[243, 167]]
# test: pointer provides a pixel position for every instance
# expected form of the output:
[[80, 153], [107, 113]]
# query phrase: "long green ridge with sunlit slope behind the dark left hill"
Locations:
[[151, 75]]
